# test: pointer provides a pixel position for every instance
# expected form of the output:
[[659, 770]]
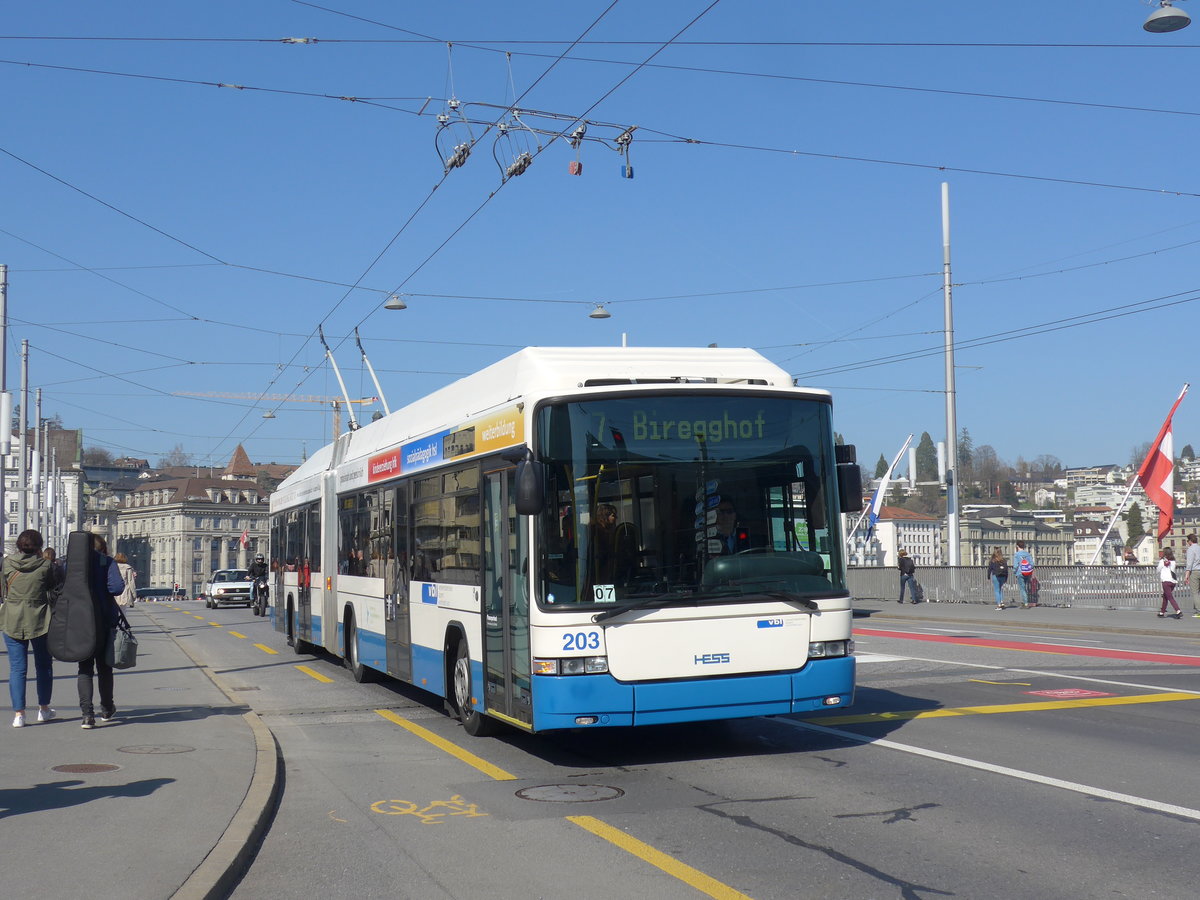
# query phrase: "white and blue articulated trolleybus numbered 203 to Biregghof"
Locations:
[[584, 538]]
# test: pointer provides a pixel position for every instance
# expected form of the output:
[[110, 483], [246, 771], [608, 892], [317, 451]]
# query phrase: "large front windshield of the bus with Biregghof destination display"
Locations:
[[681, 499]]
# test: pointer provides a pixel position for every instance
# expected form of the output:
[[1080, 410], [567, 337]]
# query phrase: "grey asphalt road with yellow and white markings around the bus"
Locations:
[[976, 764]]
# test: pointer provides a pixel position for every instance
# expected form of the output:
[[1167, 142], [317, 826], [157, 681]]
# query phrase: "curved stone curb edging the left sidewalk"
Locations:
[[231, 856]]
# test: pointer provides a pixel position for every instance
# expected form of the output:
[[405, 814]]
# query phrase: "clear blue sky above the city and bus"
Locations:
[[165, 235]]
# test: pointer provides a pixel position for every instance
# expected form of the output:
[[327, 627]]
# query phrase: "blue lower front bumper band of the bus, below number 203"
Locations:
[[559, 700]]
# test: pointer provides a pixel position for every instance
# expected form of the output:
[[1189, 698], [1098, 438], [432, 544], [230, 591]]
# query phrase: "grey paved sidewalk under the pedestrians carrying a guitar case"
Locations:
[[169, 800]]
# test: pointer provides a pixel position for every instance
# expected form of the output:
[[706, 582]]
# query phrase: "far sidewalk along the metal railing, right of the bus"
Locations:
[[1049, 619]]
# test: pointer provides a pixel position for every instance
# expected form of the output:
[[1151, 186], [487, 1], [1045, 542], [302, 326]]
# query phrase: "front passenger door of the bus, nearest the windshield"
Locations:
[[506, 601]]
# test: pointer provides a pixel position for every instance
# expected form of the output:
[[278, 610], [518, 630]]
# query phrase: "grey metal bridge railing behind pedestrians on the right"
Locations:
[[1113, 587]]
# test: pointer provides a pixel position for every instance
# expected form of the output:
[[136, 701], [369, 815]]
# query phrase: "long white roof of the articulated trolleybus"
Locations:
[[538, 373]]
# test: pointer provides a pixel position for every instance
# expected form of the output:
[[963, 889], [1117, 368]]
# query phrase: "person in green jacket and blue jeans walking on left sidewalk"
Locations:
[[25, 620]]
